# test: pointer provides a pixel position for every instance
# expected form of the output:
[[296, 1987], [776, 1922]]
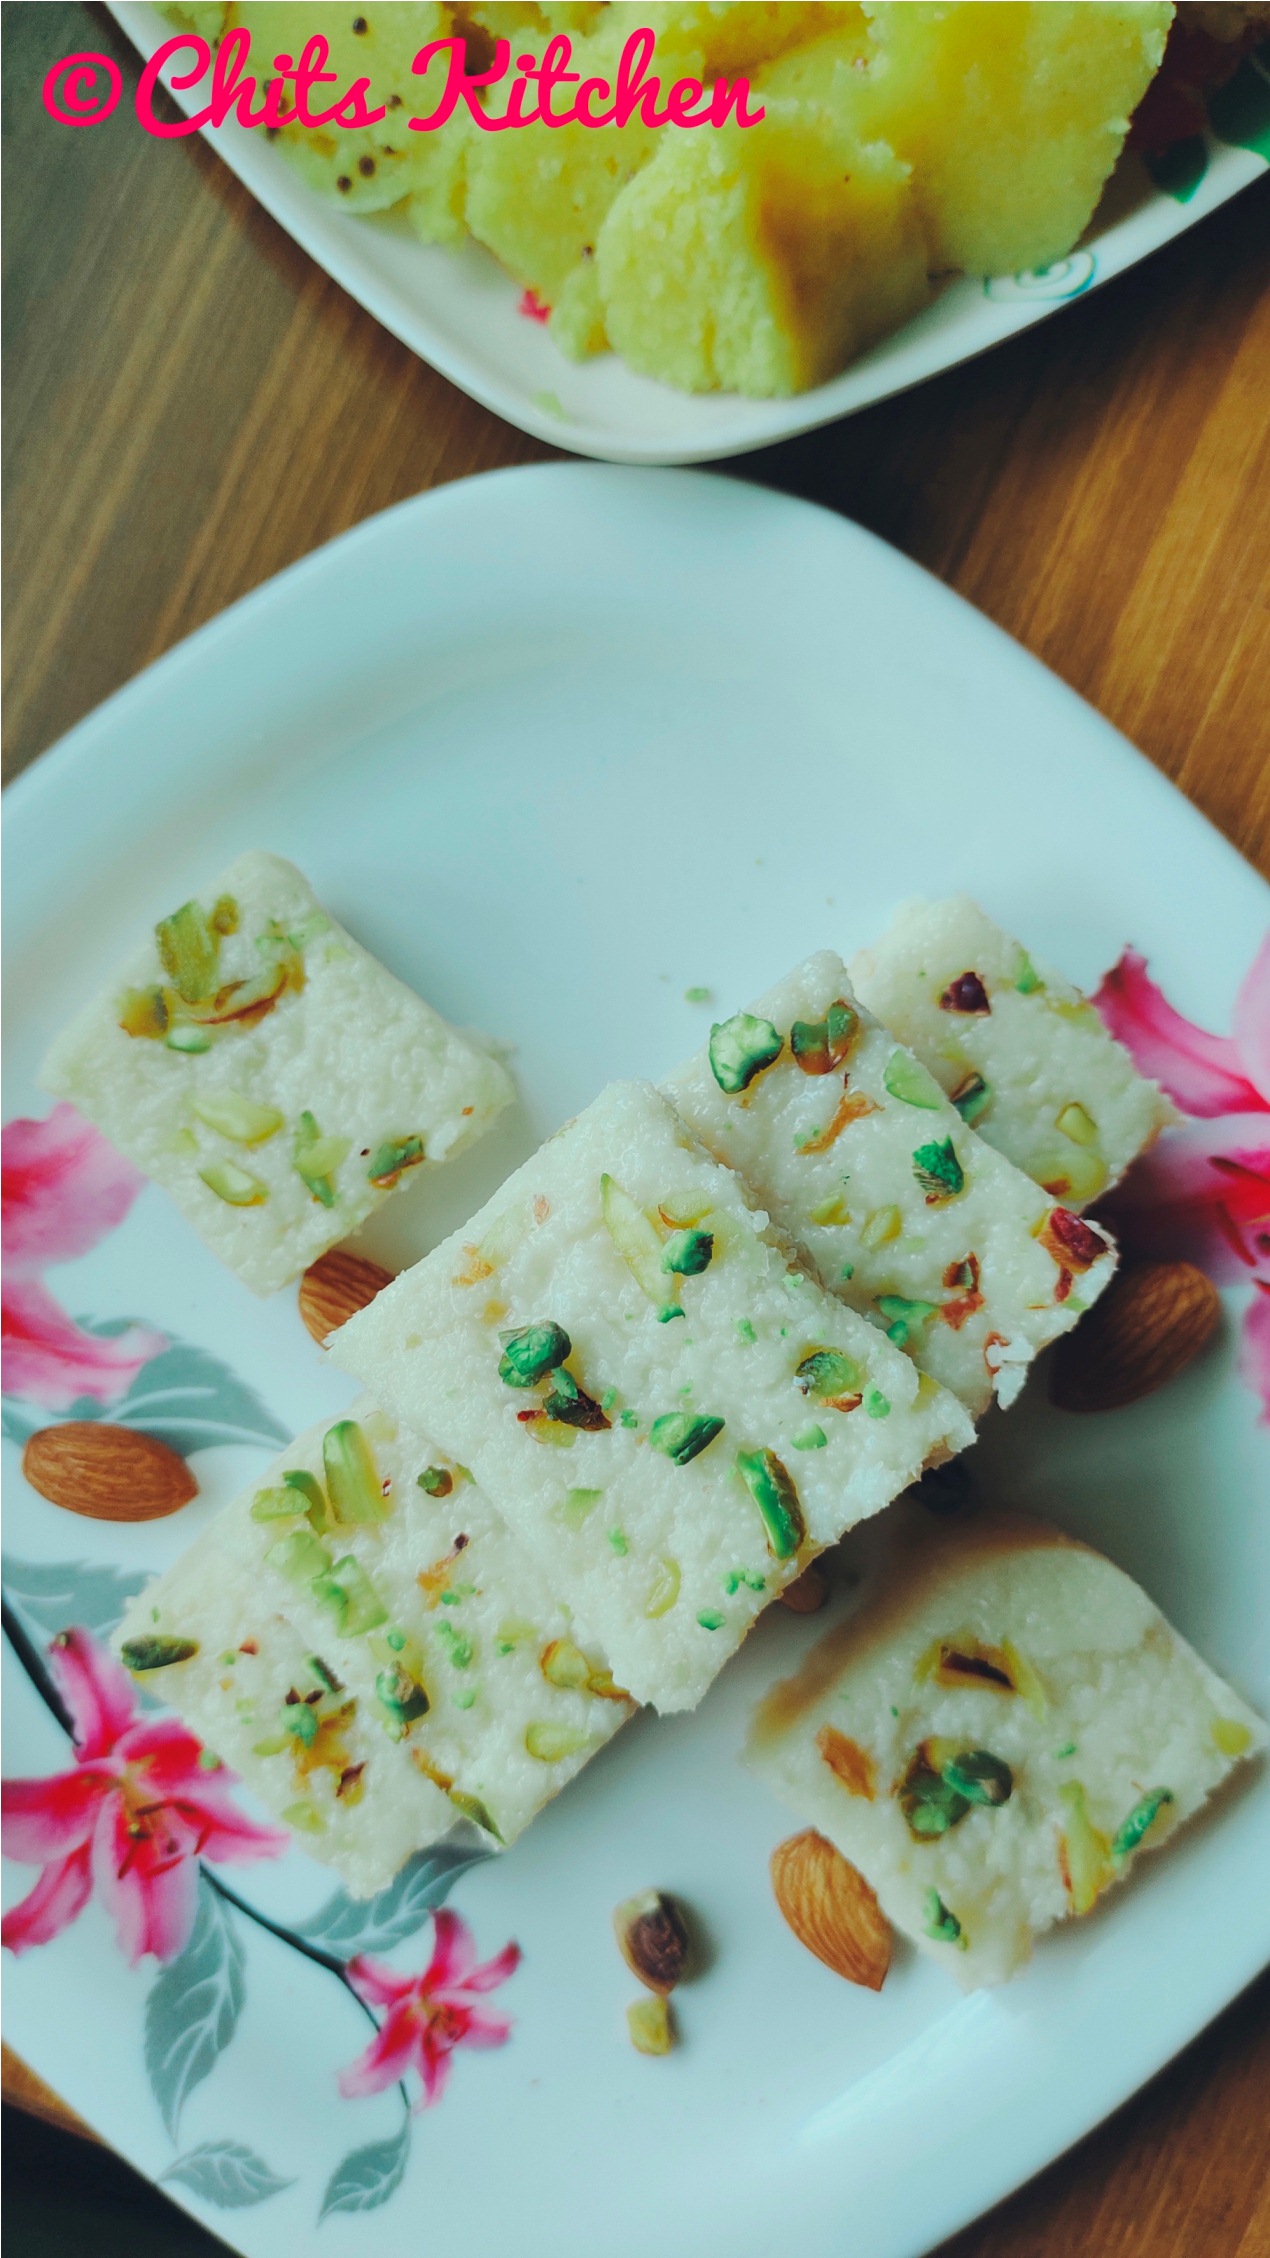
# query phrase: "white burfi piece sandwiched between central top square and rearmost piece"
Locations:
[[910, 1218]]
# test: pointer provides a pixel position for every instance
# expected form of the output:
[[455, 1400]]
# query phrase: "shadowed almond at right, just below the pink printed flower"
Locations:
[[1138, 1336]]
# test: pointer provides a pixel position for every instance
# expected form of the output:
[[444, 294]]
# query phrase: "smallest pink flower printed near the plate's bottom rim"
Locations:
[[428, 2015]]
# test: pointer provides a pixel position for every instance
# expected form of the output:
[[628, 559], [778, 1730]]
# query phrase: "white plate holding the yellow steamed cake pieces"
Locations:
[[460, 308]]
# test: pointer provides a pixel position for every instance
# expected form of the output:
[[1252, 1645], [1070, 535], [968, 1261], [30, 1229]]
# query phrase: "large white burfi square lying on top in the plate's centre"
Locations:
[[666, 1410]]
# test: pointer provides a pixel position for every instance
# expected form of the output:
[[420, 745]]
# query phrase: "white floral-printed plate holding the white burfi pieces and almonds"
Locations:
[[562, 744]]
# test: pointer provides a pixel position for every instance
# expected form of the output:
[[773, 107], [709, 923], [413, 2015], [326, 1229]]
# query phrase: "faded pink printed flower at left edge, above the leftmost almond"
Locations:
[[64, 1189]]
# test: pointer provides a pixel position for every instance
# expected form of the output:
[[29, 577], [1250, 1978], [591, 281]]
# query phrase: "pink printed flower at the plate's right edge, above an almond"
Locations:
[[1203, 1191]]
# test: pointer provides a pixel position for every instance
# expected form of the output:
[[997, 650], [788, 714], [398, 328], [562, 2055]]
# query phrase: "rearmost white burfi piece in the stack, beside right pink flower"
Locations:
[[1020, 1051]]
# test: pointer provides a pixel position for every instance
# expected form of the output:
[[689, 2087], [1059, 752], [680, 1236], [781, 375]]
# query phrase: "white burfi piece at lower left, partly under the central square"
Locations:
[[433, 1613]]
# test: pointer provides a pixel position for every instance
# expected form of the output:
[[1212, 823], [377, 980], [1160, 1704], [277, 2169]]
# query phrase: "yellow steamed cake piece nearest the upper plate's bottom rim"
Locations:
[[765, 259]]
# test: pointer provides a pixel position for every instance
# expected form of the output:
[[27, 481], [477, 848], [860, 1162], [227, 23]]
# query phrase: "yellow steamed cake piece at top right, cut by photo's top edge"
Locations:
[[1011, 116]]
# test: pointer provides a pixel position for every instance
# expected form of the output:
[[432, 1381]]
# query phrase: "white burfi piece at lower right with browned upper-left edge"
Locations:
[[998, 1733]]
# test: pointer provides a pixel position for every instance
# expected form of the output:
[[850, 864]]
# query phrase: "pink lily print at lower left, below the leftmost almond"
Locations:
[[134, 1817]]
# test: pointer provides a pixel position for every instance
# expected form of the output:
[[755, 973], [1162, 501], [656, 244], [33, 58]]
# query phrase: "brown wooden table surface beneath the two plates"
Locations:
[[193, 405]]
